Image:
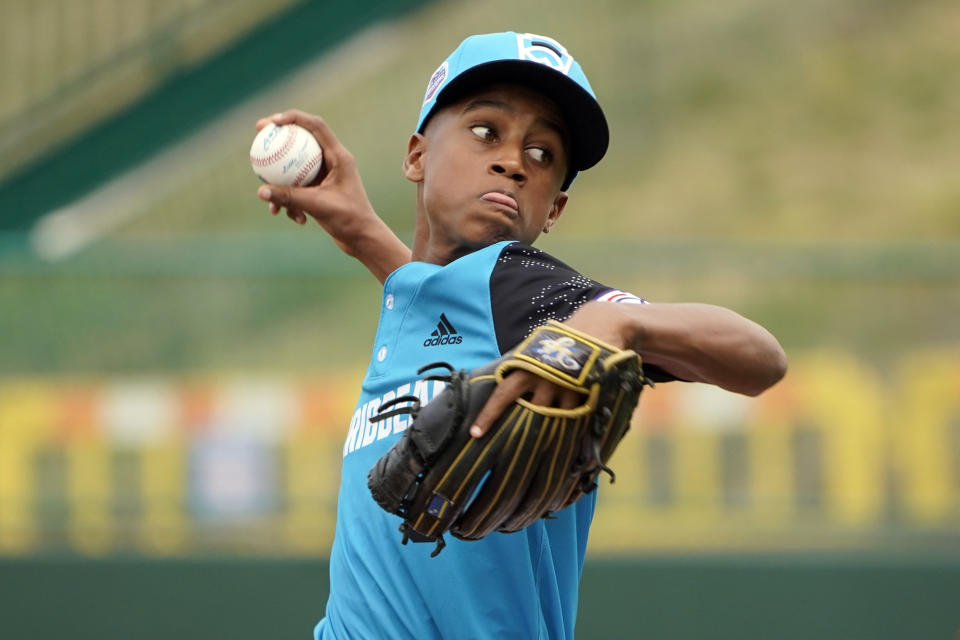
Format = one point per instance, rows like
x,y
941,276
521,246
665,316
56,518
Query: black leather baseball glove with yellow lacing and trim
x,y
533,461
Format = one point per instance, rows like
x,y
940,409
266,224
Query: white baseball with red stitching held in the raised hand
x,y
285,155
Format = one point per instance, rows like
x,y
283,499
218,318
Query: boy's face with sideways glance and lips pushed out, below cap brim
x,y
489,168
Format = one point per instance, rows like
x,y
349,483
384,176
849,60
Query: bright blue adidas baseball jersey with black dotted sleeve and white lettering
x,y
519,585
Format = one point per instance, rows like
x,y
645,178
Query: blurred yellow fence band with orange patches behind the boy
x,y
837,455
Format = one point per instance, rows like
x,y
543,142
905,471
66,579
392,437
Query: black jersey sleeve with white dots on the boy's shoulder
x,y
529,287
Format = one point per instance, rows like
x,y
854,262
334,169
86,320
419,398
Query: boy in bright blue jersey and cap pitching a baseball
x,y
506,123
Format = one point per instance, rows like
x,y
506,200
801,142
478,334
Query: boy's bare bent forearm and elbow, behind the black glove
x,y
695,342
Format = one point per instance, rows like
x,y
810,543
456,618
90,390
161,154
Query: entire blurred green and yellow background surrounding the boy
x,y
177,367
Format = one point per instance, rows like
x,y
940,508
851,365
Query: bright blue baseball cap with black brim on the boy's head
x,y
537,62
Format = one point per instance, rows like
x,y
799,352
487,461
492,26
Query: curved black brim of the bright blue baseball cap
x,y
584,118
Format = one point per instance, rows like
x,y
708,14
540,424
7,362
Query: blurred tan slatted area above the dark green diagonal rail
x,y
69,63
